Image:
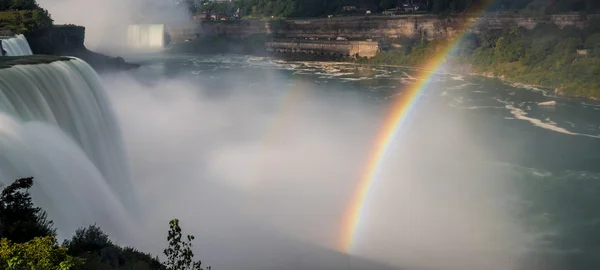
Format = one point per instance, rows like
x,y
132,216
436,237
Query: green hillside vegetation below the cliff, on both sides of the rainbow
x,y
564,59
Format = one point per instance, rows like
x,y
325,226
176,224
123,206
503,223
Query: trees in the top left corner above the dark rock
x,y
23,17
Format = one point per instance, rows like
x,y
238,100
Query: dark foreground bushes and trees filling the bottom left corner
x,y
28,241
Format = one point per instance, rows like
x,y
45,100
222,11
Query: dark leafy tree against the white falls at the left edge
x,y
20,220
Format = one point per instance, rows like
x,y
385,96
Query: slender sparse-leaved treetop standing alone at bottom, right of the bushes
x,y
179,253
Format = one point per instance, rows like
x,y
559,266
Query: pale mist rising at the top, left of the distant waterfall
x,y
106,21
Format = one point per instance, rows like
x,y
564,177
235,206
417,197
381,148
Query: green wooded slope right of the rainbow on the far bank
x,y
565,59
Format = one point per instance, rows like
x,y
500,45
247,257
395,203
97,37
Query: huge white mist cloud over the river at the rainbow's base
x,y
262,175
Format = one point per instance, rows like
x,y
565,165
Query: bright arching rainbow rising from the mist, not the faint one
x,y
392,124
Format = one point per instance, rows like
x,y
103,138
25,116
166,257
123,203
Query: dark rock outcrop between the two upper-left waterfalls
x,y
68,40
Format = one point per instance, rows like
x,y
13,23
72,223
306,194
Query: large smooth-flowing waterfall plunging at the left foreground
x,y
57,125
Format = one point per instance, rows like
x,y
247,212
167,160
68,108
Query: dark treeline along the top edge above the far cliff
x,y
321,8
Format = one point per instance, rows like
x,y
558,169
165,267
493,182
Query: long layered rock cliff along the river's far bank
x,y
374,27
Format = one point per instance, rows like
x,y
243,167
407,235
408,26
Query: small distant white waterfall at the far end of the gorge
x,y
146,36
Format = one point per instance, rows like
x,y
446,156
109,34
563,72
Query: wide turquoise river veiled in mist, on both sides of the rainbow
x,y
478,173
